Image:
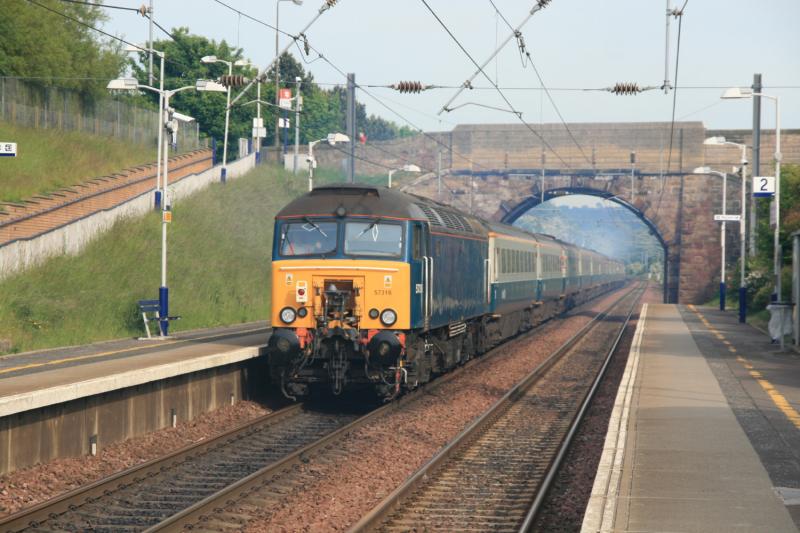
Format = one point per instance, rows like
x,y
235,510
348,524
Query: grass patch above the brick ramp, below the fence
x,y
50,159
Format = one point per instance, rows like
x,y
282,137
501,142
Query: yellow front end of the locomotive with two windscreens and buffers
x,y
341,286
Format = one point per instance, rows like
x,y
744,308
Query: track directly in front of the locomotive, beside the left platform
x,y
153,491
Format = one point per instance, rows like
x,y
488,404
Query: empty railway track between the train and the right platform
x,y
495,474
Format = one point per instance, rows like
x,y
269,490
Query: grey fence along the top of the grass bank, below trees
x,y
54,108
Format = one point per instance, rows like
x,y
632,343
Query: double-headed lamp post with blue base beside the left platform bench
x,y
168,122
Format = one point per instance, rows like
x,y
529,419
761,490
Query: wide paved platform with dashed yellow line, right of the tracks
x,y
705,432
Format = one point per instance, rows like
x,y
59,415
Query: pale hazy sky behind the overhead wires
x,y
575,44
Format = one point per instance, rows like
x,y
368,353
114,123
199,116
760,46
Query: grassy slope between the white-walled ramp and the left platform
x,y
219,259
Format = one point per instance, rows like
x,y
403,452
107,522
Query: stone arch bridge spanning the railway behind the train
x,y
495,171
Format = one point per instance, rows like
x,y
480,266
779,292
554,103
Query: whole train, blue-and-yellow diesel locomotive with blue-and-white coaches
x,y
375,287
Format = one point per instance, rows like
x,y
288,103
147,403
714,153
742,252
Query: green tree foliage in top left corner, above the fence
x,y
40,44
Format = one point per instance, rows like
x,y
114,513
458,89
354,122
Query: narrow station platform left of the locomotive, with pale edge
x,y
38,379
